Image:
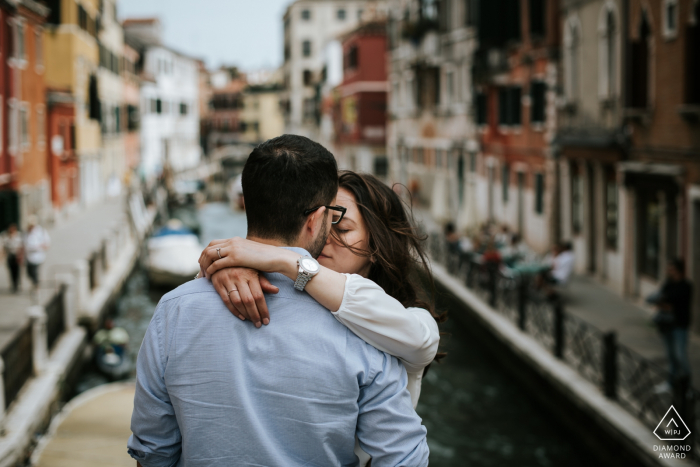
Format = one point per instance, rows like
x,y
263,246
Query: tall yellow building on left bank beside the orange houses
x,y
72,61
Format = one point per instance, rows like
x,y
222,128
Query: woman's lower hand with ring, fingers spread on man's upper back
x,y
242,289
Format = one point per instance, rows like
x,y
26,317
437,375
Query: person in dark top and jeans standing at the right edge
x,y
674,301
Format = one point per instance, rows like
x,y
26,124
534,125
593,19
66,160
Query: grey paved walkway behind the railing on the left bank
x,y
72,239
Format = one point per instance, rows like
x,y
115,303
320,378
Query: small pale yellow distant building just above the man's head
x,y
261,117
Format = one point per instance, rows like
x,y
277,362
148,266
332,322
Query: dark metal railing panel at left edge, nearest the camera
x,y
19,363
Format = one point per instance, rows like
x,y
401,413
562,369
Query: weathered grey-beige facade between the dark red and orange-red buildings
x,y
431,136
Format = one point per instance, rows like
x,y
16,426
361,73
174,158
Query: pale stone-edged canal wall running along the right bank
x,y
611,432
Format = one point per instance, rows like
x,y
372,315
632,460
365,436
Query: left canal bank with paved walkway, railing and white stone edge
x,y
43,335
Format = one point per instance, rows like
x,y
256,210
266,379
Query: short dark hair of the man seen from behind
x,y
282,178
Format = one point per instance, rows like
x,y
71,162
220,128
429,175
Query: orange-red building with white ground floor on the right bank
x,y
515,78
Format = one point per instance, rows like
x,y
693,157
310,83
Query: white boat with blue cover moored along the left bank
x,y
173,255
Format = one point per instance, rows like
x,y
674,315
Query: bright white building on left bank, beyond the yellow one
x,y
169,102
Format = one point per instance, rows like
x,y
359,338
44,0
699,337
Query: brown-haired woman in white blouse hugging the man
x,y
367,275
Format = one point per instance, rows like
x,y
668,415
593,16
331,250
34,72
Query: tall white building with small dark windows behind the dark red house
x,y
310,29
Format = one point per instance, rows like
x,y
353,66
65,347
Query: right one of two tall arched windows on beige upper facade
x,y
607,53
